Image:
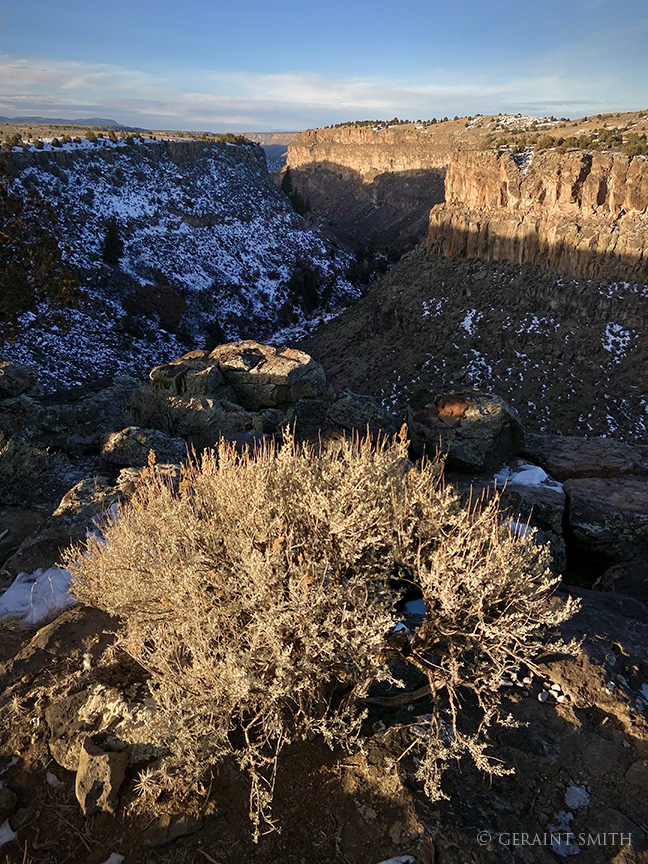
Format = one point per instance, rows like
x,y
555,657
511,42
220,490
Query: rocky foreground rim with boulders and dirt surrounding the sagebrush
x,y
580,754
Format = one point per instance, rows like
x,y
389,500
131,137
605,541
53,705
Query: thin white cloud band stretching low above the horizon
x,y
292,100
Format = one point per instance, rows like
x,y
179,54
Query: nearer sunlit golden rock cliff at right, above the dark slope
x,y
577,213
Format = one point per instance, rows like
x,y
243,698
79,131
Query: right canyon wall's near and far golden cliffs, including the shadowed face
x,y
576,213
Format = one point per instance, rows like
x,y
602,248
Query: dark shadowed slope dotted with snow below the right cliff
x,y
566,353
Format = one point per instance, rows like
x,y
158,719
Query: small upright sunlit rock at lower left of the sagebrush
x,y
99,776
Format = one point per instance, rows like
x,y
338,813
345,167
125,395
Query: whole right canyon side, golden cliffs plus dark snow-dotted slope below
x,y
529,280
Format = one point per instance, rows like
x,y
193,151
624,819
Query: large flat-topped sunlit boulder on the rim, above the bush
x,y
267,377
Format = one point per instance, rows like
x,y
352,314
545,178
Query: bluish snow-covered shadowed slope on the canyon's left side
x,y
208,243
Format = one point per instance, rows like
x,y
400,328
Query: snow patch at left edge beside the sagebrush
x,y
33,597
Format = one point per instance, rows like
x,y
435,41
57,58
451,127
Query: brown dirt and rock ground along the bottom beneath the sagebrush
x,y
580,765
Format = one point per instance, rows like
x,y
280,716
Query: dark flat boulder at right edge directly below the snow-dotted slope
x,y
569,456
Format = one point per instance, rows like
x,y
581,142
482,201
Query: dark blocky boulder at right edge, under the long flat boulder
x,y
608,517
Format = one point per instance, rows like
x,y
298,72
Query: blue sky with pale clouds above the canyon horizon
x,y
246,65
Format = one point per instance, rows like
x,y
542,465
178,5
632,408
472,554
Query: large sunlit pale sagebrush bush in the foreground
x,y
258,597
